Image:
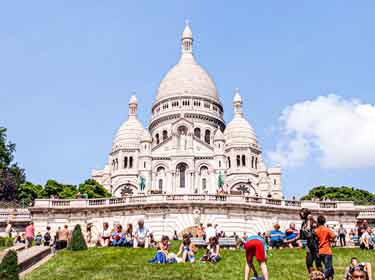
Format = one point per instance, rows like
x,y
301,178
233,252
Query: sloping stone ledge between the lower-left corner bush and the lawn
x,y
30,256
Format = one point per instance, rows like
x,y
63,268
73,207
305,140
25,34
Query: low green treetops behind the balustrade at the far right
x,y
341,193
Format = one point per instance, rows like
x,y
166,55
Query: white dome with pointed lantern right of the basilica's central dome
x,y
239,131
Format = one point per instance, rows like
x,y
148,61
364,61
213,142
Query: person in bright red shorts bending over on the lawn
x,y
255,246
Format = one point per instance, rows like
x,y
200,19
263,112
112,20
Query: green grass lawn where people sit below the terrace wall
x,y
124,263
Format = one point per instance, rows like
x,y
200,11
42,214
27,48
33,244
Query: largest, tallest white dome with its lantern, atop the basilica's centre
x,y
187,77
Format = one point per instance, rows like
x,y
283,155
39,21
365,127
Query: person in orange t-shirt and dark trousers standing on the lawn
x,y
325,235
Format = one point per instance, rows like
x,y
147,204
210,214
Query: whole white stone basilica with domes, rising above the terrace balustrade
x,y
187,145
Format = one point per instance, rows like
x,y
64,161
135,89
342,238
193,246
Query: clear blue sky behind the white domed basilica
x,y
68,69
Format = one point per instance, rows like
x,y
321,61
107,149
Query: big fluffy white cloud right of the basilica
x,y
341,132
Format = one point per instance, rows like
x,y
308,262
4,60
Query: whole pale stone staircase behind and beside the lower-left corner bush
x,y
28,257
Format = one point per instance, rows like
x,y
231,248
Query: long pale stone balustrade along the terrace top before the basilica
x,y
190,198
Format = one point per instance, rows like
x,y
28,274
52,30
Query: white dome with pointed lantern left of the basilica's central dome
x,y
131,131
